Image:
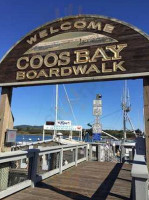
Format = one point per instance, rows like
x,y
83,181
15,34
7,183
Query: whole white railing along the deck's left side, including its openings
x,y
21,169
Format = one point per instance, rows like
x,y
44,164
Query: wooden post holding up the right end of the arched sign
x,y
146,116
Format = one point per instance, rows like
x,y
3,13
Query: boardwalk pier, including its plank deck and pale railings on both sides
x,y
72,172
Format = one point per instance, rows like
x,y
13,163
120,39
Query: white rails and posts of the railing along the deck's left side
x,y
33,156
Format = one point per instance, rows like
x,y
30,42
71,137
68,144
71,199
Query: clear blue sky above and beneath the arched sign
x,y
34,105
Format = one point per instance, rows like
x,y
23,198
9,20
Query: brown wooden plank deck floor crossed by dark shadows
x,y
90,180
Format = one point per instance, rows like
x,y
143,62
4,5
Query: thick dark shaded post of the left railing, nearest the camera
x,y
32,170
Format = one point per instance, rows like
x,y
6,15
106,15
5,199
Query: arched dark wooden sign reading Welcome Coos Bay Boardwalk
x,y
74,49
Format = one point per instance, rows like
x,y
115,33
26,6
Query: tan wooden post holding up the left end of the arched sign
x,y
6,118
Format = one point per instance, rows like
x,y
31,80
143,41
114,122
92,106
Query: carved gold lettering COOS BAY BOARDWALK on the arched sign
x,y
66,63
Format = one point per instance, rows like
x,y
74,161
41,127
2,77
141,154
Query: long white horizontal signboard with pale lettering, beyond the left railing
x,y
63,128
